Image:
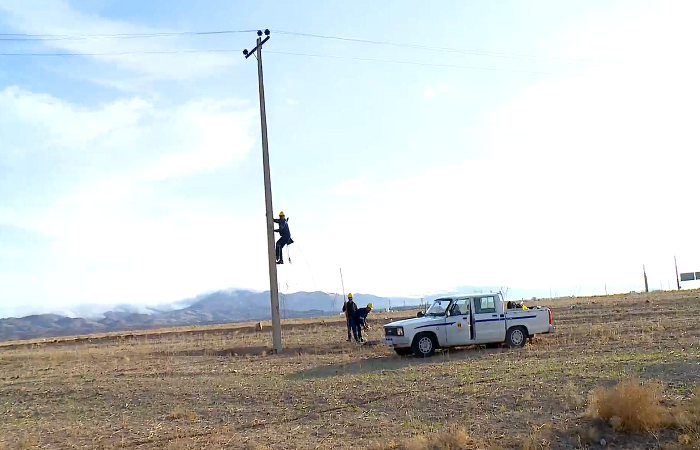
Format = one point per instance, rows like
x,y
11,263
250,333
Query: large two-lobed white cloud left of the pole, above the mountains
x,y
112,237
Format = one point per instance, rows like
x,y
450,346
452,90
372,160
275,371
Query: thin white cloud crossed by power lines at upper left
x,y
57,17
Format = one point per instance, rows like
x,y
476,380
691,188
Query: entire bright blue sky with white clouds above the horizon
x,y
138,178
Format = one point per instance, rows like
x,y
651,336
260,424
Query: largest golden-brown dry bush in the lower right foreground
x,y
631,406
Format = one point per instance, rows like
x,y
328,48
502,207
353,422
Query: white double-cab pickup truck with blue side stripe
x,y
467,320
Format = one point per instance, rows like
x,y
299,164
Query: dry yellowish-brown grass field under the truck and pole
x,y
620,372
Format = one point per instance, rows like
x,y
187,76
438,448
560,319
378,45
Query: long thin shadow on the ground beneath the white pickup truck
x,y
392,363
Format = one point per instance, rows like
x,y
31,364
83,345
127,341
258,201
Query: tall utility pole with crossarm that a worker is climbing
x,y
272,260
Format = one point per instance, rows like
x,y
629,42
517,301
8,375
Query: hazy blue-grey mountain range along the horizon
x,y
224,306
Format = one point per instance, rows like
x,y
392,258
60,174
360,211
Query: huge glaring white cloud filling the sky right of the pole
x,y
585,179
